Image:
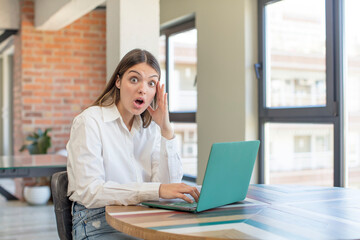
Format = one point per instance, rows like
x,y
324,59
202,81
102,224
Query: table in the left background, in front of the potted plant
x,y
42,165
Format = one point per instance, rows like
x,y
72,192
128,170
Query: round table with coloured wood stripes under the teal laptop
x,y
268,212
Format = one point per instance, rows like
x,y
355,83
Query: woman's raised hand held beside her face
x,y
161,114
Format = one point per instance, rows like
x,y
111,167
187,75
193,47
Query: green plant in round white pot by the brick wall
x,y
38,193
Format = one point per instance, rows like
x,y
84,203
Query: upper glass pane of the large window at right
x,y
295,53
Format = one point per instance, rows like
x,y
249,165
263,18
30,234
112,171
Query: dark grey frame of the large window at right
x,y
332,112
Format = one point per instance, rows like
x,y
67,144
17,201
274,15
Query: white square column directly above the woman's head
x,y
130,24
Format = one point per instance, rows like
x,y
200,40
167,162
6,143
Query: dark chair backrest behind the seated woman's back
x,y
62,204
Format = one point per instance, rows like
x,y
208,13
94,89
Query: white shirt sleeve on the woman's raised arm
x,y
166,162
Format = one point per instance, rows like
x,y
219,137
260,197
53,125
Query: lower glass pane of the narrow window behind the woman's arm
x,y
186,135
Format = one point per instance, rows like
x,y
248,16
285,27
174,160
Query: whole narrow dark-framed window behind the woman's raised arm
x,y
178,60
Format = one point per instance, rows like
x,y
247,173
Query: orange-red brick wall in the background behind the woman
x,y
57,74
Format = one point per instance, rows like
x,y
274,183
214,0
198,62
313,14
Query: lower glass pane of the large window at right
x,y
299,153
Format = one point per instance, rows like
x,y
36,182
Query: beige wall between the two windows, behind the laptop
x,y
227,87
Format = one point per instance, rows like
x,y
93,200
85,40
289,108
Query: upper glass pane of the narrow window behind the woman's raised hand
x,y
182,71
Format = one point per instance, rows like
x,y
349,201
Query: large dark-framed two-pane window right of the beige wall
x,y
300,118
